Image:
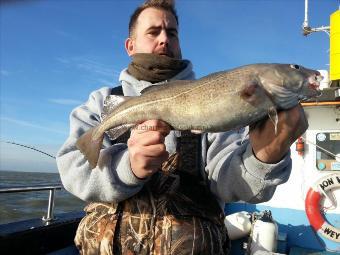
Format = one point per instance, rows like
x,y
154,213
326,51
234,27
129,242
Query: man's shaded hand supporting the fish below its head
x,y
269,147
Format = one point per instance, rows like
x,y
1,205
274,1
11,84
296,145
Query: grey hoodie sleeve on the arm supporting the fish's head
x,y
235,174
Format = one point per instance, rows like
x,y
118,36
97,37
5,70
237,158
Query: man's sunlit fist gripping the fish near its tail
x,y
146,147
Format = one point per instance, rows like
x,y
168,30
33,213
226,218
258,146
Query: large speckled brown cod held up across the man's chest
x,y
218,102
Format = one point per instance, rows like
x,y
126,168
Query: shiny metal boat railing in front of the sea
x,y
52,188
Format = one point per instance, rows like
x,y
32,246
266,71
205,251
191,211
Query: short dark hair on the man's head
x,y
164,5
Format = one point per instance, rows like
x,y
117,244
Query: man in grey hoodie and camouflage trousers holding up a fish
x,y
163,191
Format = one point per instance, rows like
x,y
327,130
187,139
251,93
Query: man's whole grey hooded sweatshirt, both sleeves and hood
x,y
232,171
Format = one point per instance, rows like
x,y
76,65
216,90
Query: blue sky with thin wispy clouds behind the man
x,y
54,53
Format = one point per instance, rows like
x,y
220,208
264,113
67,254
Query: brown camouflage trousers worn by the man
x,y
106,231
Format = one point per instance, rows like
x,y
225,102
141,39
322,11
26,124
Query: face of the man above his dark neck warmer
x,y
155,32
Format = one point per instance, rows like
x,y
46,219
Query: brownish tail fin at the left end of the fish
x,y
90,147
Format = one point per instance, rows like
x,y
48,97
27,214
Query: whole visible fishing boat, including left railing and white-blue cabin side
x,y
303,217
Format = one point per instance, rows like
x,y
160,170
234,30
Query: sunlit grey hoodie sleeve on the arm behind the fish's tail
x,y
112,180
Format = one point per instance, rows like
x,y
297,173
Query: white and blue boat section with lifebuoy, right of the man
x,y
306,209
